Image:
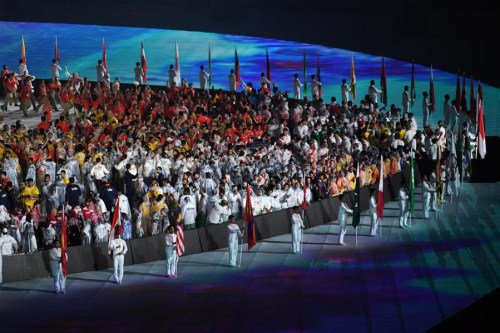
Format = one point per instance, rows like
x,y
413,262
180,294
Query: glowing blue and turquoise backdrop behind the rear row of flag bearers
x,y
80,47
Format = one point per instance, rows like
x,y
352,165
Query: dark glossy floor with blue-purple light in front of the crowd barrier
x,y
406,280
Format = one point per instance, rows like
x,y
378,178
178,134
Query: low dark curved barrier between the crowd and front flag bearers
x,y
209,238
